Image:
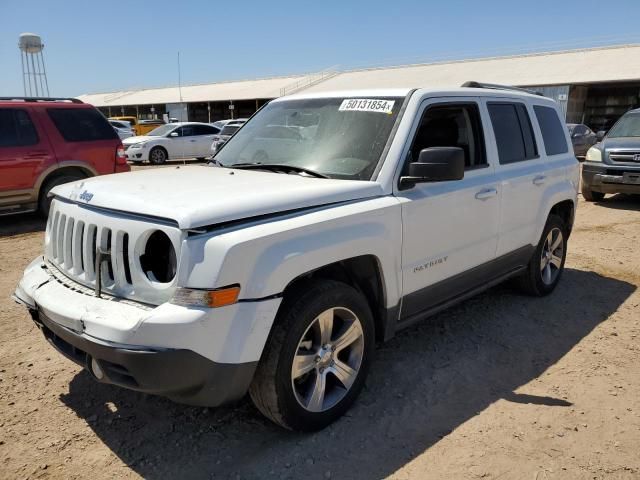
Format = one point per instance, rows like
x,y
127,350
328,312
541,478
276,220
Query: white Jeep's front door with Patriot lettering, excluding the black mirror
x,y
449,228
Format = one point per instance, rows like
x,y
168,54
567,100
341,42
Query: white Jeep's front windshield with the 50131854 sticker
x,y
338,137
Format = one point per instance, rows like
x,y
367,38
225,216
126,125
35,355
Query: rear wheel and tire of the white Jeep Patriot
x,y
547,262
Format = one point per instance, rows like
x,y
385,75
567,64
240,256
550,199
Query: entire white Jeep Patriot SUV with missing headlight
x,y
277,277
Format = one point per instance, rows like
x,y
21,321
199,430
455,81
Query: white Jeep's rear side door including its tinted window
x,y
521,172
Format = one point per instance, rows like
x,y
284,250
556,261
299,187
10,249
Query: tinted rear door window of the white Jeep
x,y
513,132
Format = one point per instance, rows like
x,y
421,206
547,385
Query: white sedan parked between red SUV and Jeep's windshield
x,y
172,141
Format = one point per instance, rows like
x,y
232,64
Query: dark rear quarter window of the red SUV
x,y
81,124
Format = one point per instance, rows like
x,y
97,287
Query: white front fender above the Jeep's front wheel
x,y
264,257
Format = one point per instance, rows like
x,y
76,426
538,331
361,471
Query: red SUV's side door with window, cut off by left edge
x,y
24,154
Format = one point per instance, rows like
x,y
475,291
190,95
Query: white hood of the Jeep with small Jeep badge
x,y
195,196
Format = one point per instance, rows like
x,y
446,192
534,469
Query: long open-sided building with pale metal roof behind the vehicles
x,y
594,85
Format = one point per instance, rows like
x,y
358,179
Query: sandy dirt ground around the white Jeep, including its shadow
x,y
502,386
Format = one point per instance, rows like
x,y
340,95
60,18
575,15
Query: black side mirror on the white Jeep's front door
x,y
435,164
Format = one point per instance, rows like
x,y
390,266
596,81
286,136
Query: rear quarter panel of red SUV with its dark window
x,y
81,133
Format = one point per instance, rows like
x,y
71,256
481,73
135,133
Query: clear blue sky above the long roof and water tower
x,y
94,46
